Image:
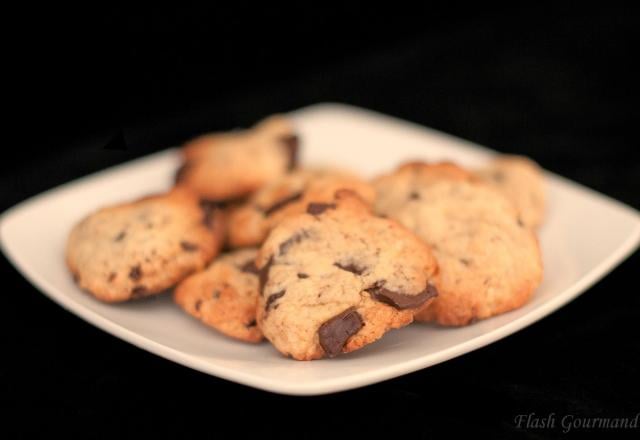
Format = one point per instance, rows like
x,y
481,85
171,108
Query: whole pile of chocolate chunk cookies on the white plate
x,y
318,261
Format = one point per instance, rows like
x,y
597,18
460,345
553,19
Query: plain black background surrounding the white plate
x,y
559,87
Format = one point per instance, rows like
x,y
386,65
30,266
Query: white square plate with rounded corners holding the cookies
x,y
585,236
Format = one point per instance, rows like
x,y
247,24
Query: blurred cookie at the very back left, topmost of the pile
x,y
229,166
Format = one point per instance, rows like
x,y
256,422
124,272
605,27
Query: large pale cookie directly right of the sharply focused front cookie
x,y
489,260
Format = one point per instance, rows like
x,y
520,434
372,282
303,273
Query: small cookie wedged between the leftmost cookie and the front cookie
x,y
225,295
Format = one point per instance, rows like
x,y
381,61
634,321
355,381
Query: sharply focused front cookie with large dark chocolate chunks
x,y
337,278
